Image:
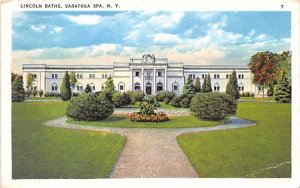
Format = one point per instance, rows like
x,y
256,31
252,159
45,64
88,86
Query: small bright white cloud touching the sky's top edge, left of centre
x,y
84,19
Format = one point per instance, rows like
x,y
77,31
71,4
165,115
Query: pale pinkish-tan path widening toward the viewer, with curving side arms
x,y
151,152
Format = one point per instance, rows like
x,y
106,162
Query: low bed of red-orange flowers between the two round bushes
x,y
156,117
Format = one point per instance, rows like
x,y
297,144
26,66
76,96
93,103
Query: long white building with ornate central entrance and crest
x,y
148,74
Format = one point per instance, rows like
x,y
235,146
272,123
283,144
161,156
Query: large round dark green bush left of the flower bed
x,y
89,107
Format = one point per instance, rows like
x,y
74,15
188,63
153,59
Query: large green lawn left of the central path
x,y
45,152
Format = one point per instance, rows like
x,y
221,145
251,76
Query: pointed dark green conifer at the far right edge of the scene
x,y
283,90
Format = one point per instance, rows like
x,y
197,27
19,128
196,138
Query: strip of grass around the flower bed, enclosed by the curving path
x,y
175,122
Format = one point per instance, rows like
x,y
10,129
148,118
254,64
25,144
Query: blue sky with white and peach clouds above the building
x,y
189,37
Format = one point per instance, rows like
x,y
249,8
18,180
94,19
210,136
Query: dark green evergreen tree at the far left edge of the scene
x,y
17,89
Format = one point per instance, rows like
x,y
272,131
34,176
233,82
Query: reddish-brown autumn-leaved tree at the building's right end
x,y
262,65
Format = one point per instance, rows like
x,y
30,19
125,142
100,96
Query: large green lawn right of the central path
x,y
262,151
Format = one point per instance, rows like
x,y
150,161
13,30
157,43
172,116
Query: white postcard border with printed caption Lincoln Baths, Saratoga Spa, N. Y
x,y
151,5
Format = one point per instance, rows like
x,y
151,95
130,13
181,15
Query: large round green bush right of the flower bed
x,y
213,106
